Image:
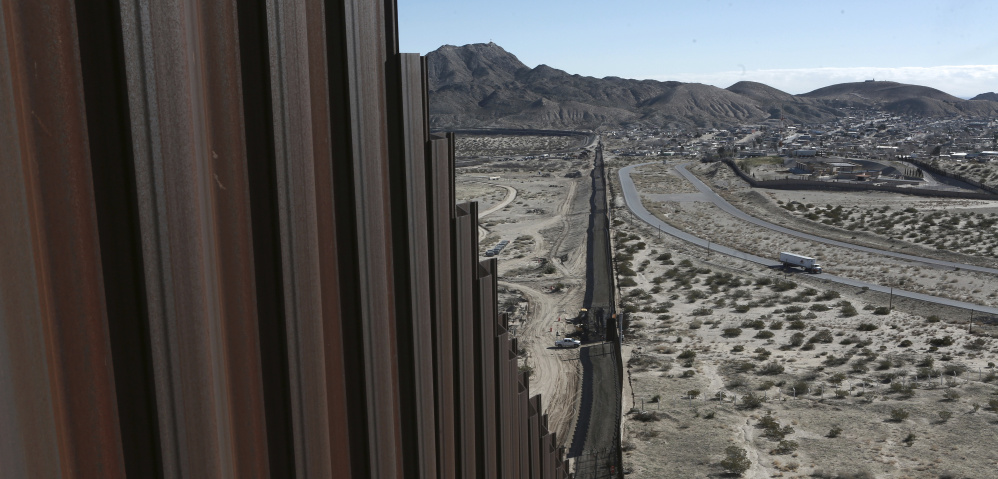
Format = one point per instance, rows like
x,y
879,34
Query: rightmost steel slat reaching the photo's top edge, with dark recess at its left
x,y
358,44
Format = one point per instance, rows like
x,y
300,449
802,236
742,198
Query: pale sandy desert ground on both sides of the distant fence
x,y
789,375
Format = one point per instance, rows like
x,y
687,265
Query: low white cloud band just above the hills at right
x,y
959,80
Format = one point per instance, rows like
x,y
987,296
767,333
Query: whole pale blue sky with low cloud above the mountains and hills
x,y
794,46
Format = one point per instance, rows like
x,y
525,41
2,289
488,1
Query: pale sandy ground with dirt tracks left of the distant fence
x,y
542,270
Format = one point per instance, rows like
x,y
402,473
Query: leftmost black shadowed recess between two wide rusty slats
x,y
109,130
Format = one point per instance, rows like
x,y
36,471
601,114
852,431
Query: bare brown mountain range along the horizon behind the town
x,y
483,85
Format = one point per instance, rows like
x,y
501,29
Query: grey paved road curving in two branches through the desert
x,y
633,201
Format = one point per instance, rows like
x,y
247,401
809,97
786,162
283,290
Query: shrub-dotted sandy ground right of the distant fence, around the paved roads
x,y
715,325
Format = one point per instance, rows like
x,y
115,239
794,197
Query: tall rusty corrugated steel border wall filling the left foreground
x,y
231,249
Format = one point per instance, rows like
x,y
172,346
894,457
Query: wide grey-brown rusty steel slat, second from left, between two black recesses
x,y
182,62
